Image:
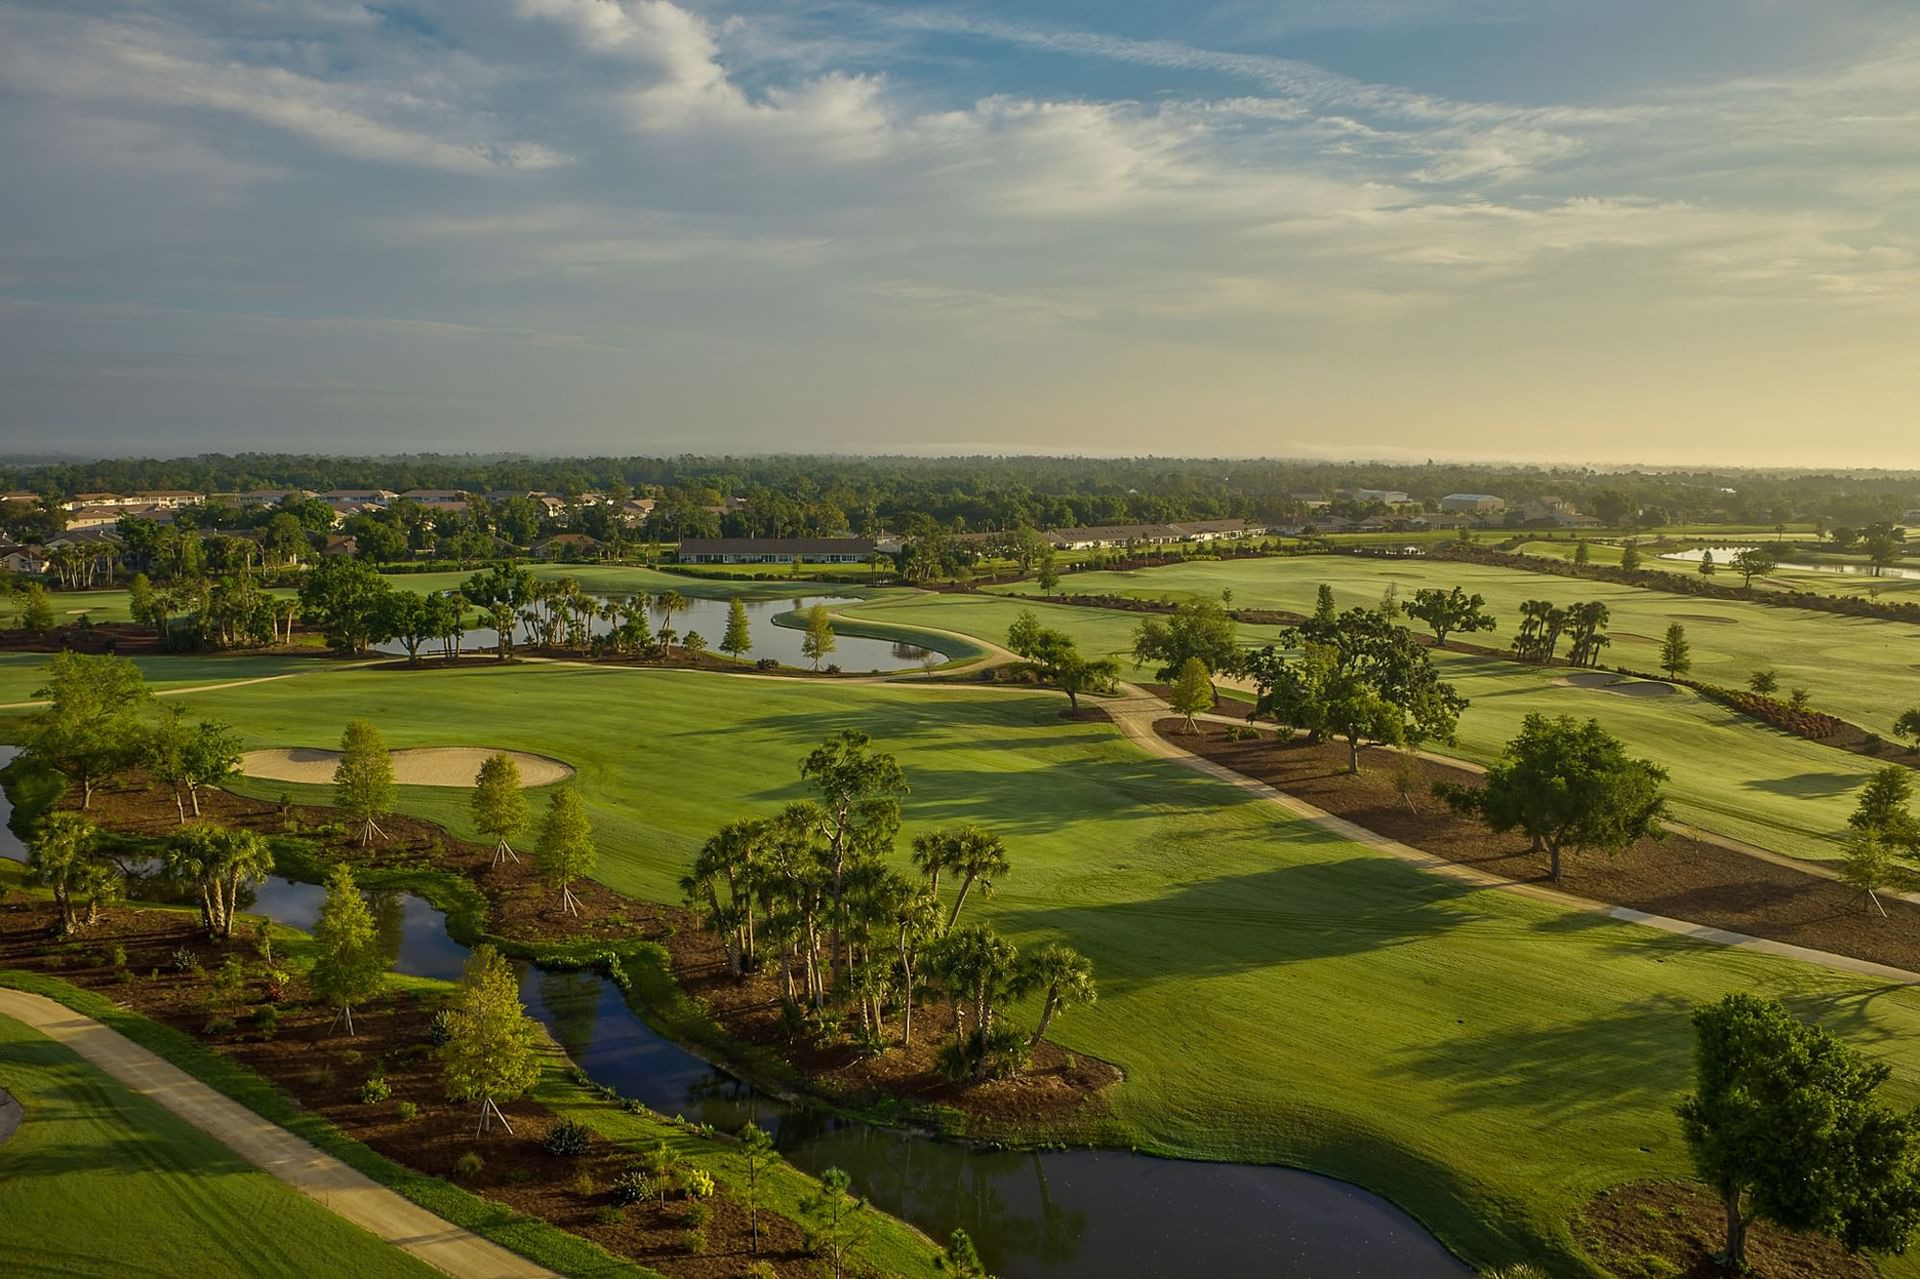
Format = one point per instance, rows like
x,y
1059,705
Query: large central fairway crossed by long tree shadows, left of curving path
x,y
1276,994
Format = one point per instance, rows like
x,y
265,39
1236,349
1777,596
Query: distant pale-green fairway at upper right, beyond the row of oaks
x,y
1860,669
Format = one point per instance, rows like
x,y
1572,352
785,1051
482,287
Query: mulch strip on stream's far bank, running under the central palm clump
x,y
1059,1092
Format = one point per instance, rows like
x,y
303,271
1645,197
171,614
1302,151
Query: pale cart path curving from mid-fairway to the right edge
x,y
1138,710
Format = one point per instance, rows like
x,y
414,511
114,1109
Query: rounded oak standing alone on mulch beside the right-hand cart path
x,y
1568,786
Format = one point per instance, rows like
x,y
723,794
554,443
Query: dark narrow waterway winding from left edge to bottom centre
x,y
1055,1215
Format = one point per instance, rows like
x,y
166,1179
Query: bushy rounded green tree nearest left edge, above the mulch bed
x,y
89,731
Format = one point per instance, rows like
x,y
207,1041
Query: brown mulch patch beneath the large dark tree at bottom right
x,y
1673,1230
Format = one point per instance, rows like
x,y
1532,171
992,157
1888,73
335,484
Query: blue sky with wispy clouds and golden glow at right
x,y
1485,229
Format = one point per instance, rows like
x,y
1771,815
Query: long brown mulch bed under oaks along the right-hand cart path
x,y
1675,877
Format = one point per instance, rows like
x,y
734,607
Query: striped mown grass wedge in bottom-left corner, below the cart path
x,y
105,1182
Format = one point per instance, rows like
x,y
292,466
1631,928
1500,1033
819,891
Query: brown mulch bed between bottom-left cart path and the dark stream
x,y
325,1069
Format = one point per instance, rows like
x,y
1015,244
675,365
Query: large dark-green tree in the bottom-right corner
x,y
1785,1126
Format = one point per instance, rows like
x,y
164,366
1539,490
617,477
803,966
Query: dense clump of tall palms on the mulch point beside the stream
x,y
857,940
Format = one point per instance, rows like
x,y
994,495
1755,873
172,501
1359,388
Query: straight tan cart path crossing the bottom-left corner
x,y
272,1149
